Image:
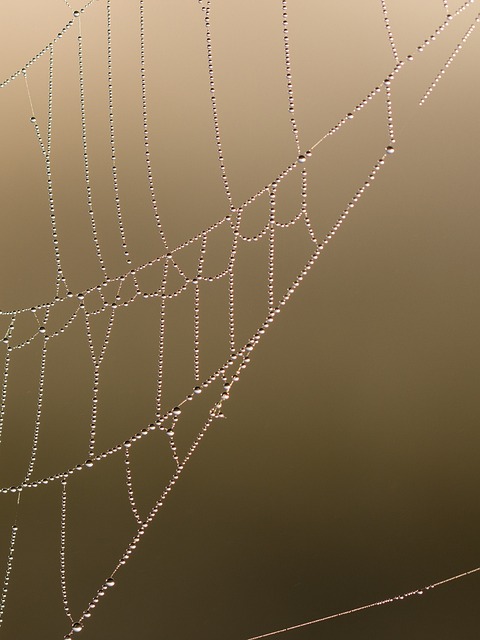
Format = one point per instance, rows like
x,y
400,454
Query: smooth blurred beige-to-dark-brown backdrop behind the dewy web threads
x,y
347,470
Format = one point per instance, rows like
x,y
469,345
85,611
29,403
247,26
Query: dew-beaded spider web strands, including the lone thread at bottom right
x,y
239,355
